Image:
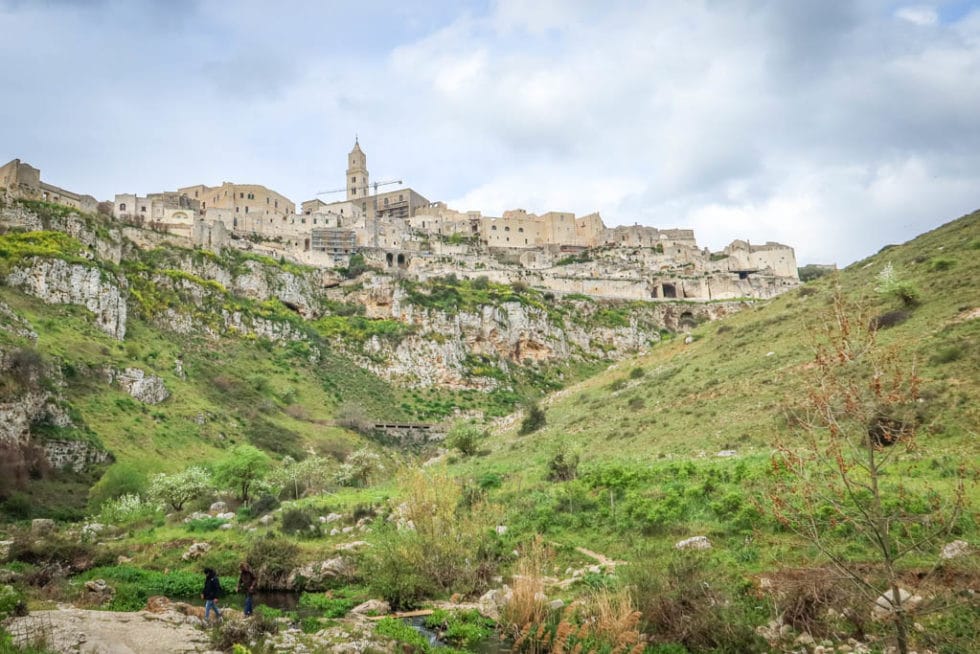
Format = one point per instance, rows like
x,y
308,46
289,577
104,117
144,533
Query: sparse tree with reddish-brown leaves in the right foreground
x,y
840,478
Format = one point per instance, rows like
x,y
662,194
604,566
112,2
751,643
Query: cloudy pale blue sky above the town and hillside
x,y
833,126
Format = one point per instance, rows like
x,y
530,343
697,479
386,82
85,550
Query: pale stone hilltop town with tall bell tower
x,y
402,232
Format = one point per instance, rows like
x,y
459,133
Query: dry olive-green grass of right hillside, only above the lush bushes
x,y
725,390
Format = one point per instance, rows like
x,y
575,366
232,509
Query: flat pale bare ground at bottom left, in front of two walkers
x,y
78,631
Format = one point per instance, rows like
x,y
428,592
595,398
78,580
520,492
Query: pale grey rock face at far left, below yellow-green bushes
x,y
55,281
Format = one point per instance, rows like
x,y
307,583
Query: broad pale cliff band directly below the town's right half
x,y
440,347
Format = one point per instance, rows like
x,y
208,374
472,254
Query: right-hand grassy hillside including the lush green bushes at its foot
x,y
649,474
